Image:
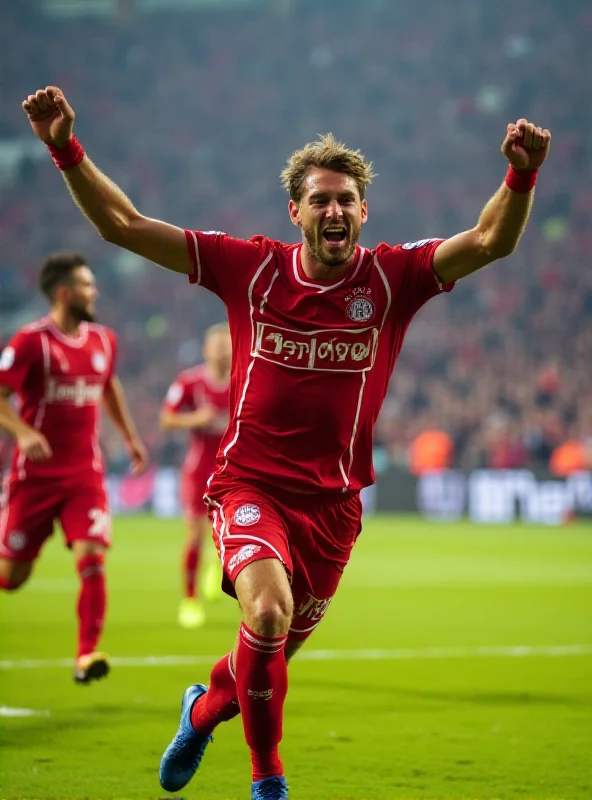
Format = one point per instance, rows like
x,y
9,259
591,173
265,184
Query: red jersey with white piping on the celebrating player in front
x,y
311,360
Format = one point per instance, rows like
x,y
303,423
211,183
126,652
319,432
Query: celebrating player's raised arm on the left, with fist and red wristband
x,y
100,200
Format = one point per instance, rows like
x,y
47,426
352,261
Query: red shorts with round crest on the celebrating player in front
x,y
312,535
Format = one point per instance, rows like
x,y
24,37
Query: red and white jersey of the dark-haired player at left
x,y
59,382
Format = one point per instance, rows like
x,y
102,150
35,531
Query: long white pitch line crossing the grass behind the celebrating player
x,y
403,654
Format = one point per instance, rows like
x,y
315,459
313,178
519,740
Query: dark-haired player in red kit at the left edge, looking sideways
x,y
62,368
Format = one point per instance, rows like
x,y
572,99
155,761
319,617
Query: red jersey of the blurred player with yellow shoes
x,y
192,389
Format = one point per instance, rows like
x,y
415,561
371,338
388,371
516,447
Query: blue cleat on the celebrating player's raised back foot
x,y
184,754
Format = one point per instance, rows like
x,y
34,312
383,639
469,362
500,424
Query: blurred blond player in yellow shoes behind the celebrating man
x,y
197,402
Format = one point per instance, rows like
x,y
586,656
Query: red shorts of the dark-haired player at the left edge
x,y
29,509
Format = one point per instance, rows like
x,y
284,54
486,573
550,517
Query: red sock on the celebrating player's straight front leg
x,y
262,685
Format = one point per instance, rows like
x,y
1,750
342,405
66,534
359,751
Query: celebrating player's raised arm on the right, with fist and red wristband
x,y
504,218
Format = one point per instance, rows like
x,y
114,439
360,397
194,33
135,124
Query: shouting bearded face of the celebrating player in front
x,y
331,215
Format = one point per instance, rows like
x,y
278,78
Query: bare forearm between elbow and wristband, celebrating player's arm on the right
x,y
503,220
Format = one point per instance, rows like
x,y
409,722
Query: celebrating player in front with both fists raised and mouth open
x,y
316,329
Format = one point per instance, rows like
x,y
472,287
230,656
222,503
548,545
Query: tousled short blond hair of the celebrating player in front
x,y
327,153
